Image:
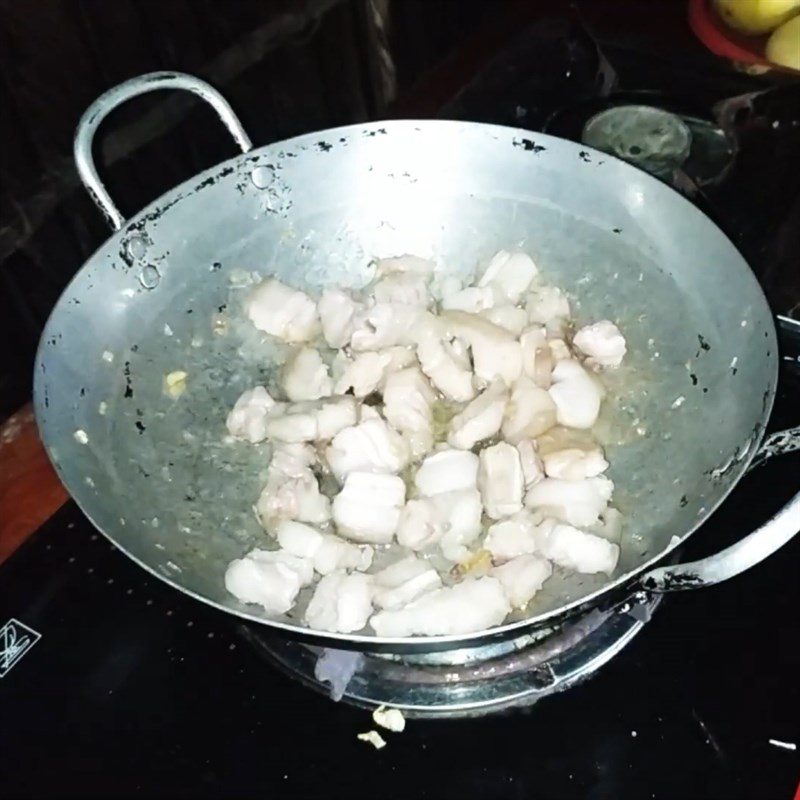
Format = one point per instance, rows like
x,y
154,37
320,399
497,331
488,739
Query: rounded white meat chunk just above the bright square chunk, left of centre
x,y
370,446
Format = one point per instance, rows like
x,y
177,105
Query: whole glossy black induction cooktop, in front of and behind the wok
x,y
113,684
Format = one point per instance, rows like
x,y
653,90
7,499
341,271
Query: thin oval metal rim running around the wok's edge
x,y
408,644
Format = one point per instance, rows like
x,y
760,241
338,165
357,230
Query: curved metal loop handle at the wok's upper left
x,y
97,112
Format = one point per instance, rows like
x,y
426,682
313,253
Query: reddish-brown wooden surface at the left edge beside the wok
x,y
30,491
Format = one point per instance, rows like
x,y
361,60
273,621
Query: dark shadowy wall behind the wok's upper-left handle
x,y
286,67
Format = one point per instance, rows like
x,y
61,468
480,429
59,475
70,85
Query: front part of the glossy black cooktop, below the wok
x,y
135,690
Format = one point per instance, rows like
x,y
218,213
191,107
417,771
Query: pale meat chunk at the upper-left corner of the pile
x,y
281,311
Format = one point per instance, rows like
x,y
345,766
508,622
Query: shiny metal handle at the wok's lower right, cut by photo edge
x,y
735,559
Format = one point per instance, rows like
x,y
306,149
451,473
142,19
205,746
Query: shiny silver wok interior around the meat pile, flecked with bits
x,y
156,474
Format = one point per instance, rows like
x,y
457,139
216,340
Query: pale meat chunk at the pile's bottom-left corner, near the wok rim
x,y
271,580
